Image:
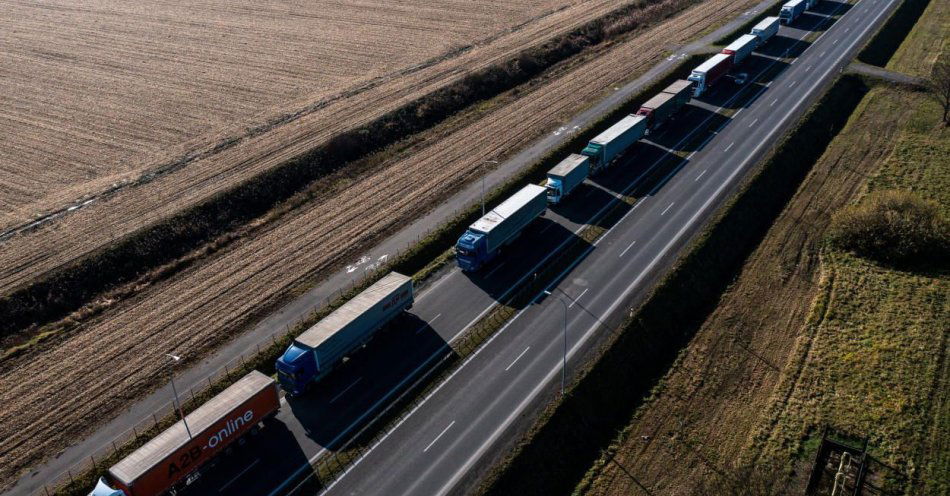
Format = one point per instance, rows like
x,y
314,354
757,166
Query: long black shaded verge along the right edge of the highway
x,y
573,433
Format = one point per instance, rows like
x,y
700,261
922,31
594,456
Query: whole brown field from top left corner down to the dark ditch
x,y
198,98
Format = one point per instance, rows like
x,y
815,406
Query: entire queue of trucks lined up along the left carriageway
x,y
171,458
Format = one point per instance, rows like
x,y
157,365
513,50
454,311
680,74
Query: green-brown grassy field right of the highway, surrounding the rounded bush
x,y
808,337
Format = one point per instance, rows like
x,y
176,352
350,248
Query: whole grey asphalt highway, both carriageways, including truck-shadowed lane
x,y
679,176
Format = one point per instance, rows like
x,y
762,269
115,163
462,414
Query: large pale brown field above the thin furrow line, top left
x,y
101,92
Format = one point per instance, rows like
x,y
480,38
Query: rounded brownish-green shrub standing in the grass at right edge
x,y
892,226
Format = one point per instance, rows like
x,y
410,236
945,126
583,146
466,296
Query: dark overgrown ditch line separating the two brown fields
x,y
136,255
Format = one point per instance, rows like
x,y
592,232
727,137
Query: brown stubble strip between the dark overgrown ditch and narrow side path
x,y
48,393
